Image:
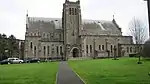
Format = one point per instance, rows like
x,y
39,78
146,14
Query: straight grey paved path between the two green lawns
x,y
66,76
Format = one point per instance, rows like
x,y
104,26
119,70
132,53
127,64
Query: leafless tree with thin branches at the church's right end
x,y
137,30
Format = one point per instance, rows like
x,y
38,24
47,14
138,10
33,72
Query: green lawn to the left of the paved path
x,y
42,73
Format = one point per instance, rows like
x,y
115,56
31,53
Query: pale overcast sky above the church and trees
x,y
13,12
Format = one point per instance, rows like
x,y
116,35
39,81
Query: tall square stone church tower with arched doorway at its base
x,y
71,21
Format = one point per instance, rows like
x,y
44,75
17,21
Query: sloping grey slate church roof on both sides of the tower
x,y
99,27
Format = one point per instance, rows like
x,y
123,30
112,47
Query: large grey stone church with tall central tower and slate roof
x,y
71,36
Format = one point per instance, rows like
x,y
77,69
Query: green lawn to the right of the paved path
x,y
108,71
